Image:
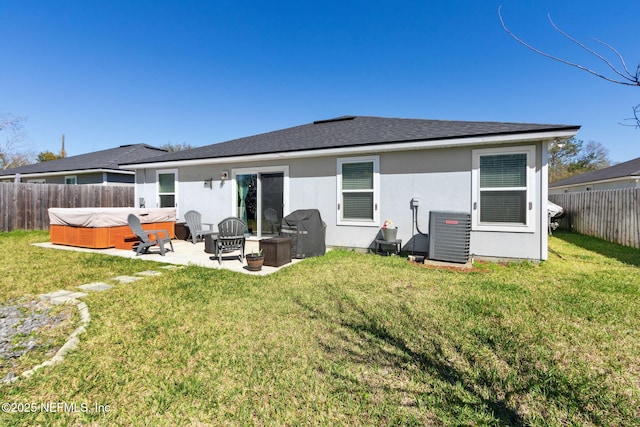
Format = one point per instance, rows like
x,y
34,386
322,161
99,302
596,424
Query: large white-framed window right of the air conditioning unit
x,y
503,190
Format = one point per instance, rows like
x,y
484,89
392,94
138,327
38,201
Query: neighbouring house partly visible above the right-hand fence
x,y
622,175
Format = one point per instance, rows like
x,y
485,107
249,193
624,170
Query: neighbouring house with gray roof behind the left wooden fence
x,y
98,167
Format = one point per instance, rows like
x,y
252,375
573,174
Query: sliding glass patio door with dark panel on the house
x,y
260,201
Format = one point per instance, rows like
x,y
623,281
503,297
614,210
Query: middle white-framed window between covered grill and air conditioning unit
x,y
358,191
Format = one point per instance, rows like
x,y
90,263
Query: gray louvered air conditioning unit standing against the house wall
x,y
449,234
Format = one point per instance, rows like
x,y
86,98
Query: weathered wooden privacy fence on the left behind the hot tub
x,y
25,206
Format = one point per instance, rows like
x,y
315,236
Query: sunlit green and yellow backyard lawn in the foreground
x,y
344,339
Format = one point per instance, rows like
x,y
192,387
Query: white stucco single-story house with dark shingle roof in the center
x,y
360,171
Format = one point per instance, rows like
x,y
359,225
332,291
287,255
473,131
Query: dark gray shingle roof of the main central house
x,y
351,131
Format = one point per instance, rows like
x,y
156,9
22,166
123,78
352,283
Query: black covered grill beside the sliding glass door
x,y
307,232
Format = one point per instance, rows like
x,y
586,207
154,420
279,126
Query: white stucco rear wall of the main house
x,y
439,178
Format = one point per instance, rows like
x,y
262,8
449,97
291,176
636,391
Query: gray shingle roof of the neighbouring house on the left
x,y
105,159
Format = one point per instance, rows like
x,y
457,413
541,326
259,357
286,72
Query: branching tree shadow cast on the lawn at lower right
x,y
465,384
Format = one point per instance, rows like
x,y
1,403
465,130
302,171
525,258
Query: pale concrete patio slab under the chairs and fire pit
x,y
186,253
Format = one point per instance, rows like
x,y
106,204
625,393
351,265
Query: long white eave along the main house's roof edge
x,y
557,134
